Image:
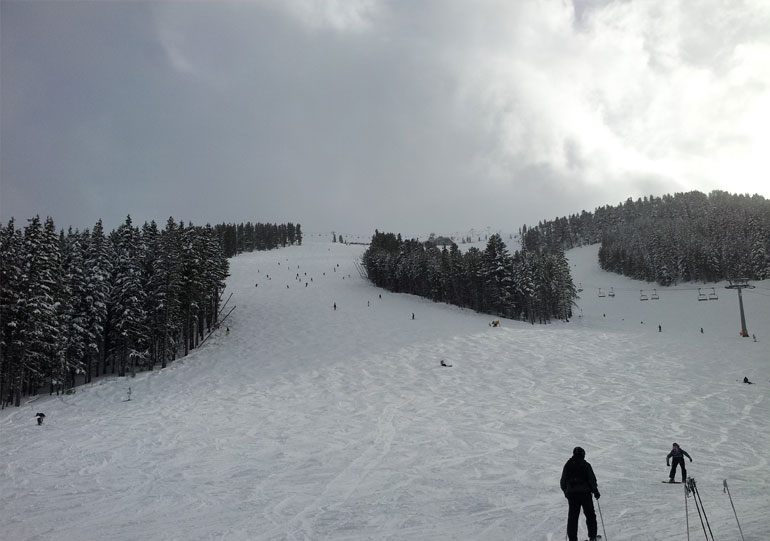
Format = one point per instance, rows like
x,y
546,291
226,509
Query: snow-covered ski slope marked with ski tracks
x,y
307,422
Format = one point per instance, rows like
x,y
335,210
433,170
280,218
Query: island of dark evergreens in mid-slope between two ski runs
x,y
527,285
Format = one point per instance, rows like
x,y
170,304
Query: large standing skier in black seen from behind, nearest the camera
x,y
578,483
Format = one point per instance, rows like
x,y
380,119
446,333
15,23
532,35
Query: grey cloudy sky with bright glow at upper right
x,y
351,115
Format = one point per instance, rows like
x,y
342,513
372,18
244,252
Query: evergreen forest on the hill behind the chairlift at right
x,y
675,238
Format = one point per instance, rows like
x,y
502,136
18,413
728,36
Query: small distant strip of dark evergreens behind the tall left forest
x,y
250,237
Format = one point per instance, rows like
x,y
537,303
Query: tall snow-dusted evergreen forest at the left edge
x,y
84,304
